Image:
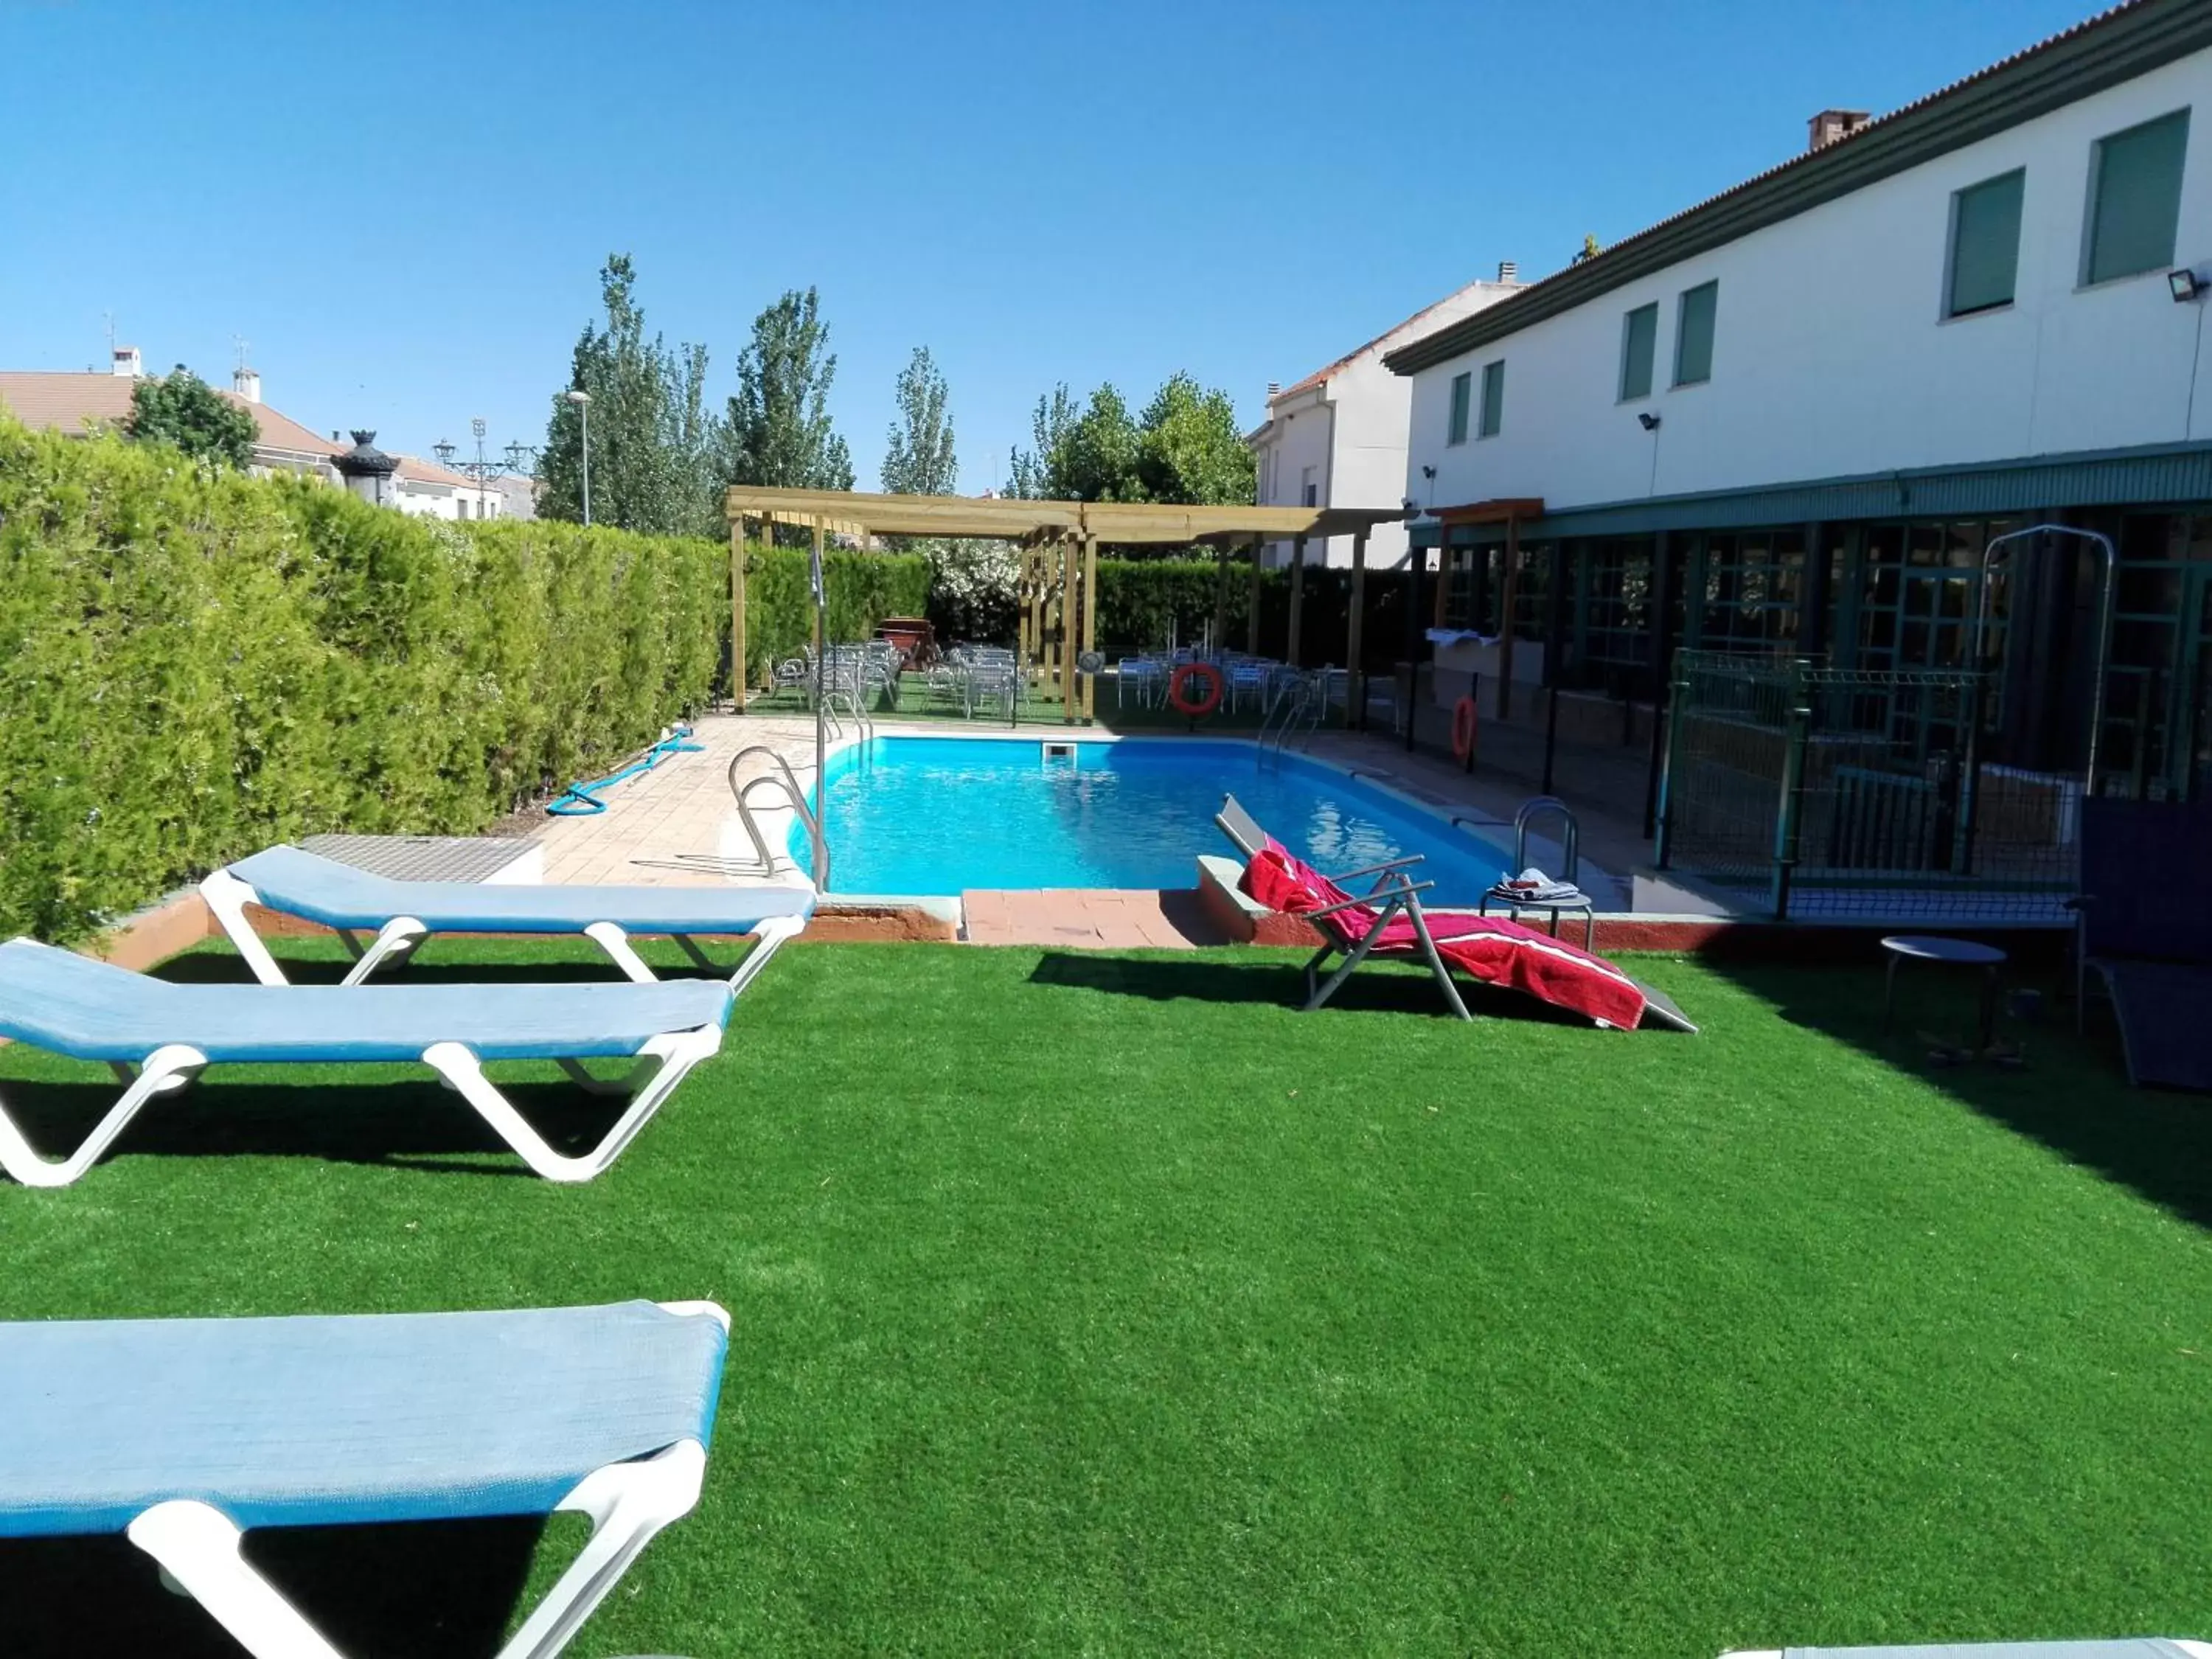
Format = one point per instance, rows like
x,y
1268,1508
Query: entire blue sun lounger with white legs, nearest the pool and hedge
x,y
406,912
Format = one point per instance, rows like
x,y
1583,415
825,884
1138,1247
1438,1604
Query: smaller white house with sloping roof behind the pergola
x,y
1337,437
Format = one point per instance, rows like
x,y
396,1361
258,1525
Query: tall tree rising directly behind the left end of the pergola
x,y
780,419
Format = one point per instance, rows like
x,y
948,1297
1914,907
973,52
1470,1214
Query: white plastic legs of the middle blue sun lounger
x,y
656,1072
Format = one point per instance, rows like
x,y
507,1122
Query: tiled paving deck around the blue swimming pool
x,y
660,824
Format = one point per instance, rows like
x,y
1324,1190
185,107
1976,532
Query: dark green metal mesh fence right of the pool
x,y
1830,793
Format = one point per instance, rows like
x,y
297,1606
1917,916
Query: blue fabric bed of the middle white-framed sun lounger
x,y
92,1010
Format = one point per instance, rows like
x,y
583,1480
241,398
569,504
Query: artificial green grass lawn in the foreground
x,y
1100,1304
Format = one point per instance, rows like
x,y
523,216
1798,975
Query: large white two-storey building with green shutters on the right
x,y
1791,417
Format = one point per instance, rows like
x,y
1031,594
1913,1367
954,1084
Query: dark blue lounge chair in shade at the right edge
x,y
2147,932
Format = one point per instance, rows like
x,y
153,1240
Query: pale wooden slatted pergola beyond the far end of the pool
x,y
1061,559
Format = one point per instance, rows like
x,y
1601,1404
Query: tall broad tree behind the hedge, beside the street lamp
x,y
654,439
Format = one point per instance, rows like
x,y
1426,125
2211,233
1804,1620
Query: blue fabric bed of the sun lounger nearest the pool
x,y
335,895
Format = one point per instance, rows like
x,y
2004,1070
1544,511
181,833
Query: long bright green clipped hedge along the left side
x,y
198,665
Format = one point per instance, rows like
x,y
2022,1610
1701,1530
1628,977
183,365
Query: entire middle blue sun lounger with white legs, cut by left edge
x,y
160,1036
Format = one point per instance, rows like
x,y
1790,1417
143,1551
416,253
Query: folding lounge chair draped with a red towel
x,y
1392,921
